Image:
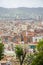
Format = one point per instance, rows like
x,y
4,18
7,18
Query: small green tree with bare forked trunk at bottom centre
x,y
20,53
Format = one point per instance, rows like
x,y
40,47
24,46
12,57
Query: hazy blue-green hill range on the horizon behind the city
x,y
21,13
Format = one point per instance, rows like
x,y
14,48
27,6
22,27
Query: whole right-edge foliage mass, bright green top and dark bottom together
x,y
39,58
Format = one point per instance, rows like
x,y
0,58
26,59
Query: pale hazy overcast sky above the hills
x,y
21,3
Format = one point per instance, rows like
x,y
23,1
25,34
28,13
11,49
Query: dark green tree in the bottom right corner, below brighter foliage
x,y
38,60
